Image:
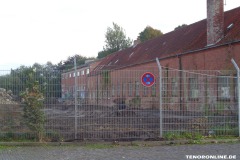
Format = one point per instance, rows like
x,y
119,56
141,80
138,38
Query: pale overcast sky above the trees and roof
x,y
51,30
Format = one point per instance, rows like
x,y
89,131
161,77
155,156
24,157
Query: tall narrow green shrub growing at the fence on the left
x,y
33,103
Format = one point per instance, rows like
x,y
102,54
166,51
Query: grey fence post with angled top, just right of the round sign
x,y
160,98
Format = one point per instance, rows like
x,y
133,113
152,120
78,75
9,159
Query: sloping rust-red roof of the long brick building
x,y
187,39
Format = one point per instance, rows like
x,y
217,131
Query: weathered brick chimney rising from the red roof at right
x,y
215,21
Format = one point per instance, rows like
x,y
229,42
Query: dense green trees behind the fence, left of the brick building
x,y
47,75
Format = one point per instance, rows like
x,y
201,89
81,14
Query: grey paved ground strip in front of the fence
x,y
177,152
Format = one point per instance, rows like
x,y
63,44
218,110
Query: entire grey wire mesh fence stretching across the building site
x,y
115,105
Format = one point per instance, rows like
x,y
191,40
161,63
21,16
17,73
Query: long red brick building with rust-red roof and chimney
x,y
209,44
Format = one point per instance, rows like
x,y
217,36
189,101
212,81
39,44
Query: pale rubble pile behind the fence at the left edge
x,y
6,97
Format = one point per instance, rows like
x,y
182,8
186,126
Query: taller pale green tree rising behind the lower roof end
x,y
116,40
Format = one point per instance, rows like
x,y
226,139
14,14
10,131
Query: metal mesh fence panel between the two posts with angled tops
x,y
200,102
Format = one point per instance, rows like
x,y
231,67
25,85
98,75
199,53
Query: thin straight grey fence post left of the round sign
x,y
75,100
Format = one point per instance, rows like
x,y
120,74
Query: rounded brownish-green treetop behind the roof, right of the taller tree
x,y
149,33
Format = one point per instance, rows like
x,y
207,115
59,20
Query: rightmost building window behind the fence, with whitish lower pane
x,y
223,88
